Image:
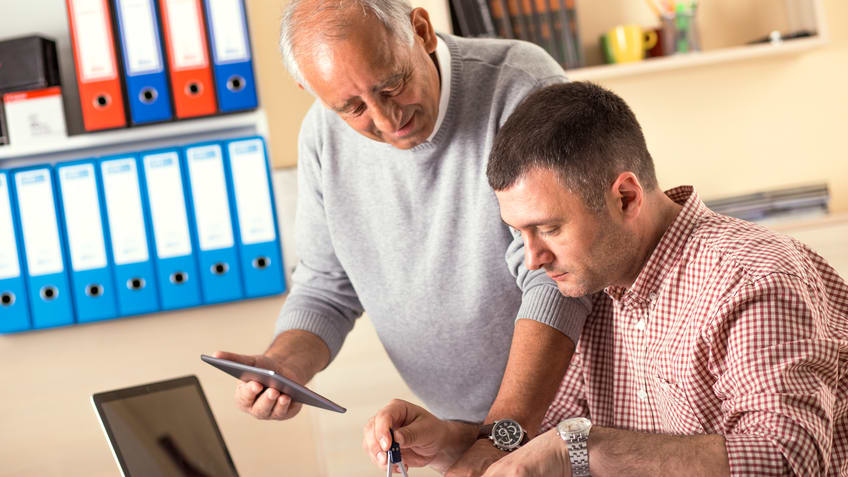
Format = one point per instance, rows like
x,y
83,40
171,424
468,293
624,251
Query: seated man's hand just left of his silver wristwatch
x,y
546,455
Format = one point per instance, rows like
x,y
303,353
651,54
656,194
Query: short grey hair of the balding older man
x,y
393,14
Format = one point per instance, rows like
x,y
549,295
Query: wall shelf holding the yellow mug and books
x,y
688,60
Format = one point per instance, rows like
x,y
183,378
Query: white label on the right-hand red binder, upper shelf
x,y
186,37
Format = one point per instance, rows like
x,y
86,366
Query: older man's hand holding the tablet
x,y
270,404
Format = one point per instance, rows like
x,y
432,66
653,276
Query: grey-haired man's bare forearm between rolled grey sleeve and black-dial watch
x,y
538,358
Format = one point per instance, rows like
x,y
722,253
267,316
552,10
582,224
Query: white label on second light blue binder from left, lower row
x,y
38,222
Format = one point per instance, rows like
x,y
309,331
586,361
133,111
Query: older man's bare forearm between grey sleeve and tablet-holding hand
x,y
301,352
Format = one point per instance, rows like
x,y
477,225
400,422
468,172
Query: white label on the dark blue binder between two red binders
x,y
140,38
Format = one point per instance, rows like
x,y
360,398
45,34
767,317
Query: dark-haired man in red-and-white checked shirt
x,y
714,346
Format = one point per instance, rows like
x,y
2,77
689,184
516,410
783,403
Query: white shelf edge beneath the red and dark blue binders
x,y
140,137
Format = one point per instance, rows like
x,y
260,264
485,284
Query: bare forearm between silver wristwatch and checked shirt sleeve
x,y
614,452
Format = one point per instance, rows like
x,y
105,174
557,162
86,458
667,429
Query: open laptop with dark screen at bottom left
x,y
164,429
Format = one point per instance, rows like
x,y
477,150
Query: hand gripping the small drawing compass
x,y
423,438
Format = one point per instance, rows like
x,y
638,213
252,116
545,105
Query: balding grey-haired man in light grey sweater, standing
x,y
395,218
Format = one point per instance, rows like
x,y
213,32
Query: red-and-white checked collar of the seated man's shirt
x,y
668,249
